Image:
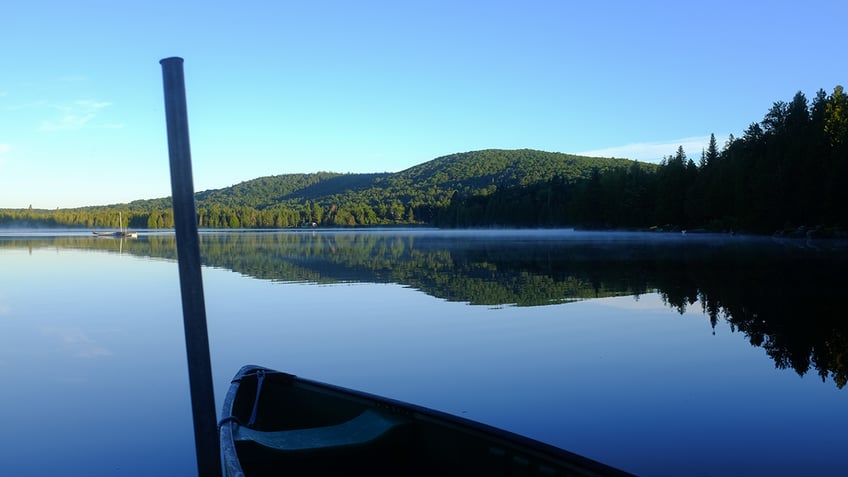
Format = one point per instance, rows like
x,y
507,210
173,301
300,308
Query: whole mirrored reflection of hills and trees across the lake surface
x,y
783,296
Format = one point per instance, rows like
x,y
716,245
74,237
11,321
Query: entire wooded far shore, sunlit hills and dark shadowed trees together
x,y
785,173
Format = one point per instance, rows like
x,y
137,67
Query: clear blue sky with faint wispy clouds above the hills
x,y
279,87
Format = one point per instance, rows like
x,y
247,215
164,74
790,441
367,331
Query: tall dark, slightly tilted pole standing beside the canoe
x,y
191,283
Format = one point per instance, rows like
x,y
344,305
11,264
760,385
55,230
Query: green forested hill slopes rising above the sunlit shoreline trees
x,y
431,183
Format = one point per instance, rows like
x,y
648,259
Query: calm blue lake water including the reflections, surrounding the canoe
x,y
658,354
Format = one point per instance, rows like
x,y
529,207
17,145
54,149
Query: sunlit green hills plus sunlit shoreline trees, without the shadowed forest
x,y
416,195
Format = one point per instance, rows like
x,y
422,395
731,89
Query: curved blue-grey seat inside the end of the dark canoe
x,y
363,429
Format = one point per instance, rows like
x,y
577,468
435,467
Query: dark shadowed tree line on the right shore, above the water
x,y
787,172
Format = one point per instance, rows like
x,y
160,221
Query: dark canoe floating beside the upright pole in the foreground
x,y
279,424
